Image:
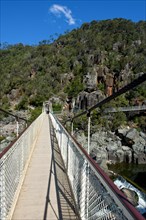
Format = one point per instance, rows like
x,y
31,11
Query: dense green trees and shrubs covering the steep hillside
x,y
32,74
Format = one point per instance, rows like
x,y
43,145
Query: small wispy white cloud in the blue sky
x,y
58,10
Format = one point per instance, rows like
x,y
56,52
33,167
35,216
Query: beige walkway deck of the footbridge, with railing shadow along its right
x,y
45,192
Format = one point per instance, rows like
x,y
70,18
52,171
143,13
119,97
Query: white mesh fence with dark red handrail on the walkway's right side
x,y
87,177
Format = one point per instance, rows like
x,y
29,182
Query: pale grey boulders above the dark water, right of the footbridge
x,y
106,146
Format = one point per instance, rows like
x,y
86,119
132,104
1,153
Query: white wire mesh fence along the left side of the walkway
x,y
13,162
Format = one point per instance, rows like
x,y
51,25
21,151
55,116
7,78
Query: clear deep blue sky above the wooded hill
x,y
31,21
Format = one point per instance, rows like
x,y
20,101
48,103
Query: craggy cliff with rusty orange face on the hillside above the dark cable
x,y
100,75
